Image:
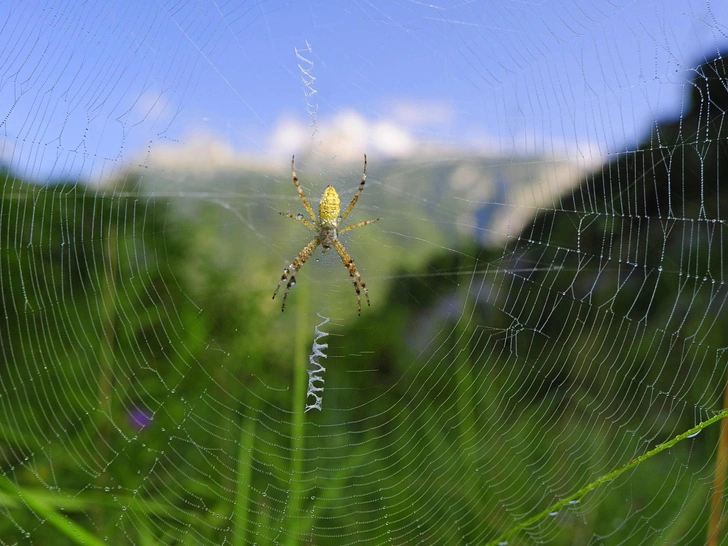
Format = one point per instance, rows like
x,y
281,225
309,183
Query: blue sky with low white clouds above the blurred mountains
x,y
87,89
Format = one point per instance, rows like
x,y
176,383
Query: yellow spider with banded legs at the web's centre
x,y
327,231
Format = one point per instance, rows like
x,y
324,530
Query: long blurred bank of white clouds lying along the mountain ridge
x,y
347,137
